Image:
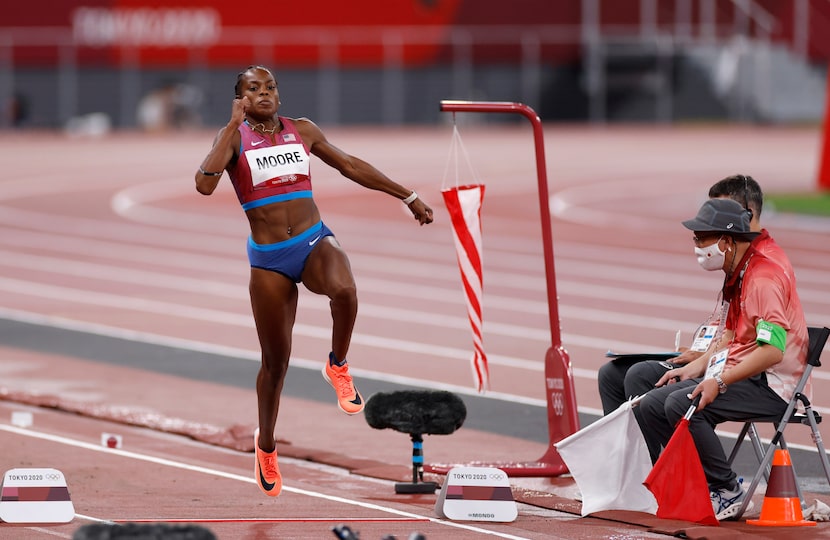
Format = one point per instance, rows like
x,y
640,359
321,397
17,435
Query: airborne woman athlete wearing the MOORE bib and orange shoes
x,y
267,157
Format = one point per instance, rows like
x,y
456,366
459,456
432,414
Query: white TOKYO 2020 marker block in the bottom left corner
x,y
35,496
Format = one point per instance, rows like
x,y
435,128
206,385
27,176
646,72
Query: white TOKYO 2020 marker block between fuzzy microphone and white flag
x,y
476,494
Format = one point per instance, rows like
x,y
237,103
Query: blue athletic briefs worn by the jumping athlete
x,y
288,257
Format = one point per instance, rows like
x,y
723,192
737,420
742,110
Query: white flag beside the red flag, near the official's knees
x,y
609,460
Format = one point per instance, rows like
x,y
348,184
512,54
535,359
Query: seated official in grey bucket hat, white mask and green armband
x,y
761,356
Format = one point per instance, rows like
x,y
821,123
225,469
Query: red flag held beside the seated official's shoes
x,y
678,481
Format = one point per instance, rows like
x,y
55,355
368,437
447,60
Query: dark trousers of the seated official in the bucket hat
x,y
660,410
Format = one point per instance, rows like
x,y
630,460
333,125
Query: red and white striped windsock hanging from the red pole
x,y
464,206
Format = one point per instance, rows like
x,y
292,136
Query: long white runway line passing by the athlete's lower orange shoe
x,y
238,478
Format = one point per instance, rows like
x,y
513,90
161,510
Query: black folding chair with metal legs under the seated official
x,y
809,417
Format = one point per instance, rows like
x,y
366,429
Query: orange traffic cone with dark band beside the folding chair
x,y
781,507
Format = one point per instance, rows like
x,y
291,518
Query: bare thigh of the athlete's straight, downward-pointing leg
x,y
274,305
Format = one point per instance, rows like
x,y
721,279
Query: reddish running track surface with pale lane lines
x,y
108,235
